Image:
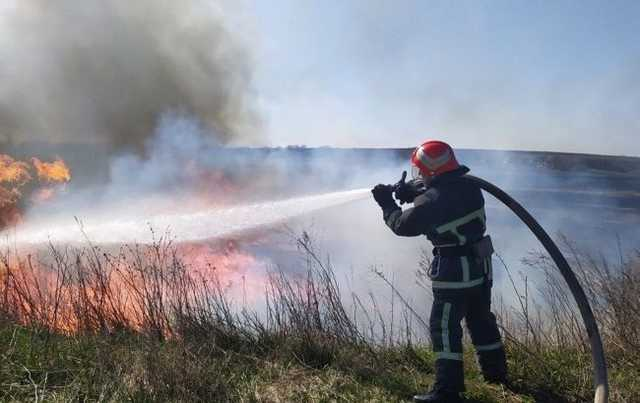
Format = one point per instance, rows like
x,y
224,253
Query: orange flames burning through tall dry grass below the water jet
x,y
137,290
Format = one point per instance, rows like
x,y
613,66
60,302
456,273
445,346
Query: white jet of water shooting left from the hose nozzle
x,y
198,226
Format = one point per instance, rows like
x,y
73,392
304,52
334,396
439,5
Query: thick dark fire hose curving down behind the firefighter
x,y
597,349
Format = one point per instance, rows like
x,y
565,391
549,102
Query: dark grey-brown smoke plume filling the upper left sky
x,y
103,72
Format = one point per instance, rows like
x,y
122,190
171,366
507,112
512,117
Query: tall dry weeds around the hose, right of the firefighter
x,y
546,327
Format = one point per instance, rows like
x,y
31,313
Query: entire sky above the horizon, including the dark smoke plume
x,y
531,75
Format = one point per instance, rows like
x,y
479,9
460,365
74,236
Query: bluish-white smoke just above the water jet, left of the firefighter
x,y
185,169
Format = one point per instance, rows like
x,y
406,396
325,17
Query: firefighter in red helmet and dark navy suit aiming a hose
x,y
450,213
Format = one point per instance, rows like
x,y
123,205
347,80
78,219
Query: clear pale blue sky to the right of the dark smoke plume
x,y
533,75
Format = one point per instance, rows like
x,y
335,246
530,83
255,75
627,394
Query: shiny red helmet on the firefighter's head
x,y
433,158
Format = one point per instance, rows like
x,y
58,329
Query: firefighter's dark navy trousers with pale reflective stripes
x,y
473,305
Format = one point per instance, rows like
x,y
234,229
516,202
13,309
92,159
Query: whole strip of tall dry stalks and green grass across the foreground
x,y
141,324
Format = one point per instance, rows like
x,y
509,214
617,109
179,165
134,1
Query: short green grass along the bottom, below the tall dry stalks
x,y
134,368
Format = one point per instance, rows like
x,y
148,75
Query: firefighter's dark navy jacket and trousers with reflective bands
x,y
450,213
